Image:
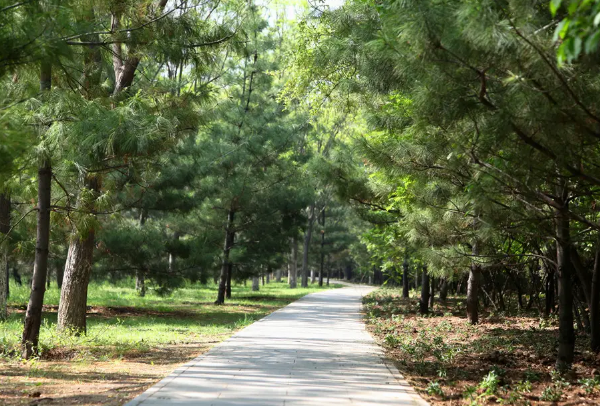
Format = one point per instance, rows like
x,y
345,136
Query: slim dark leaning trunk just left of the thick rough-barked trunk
x,y
33,317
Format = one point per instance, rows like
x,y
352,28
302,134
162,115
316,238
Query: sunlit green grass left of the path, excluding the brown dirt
x,y
138,325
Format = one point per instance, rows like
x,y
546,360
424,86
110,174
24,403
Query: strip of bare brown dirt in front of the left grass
x,y
89,382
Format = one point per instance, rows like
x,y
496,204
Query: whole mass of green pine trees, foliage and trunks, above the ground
x,y
190,141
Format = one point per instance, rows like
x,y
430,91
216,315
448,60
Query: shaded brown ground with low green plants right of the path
x,y
506,359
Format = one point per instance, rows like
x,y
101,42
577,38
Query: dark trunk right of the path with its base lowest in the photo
x,y
566,332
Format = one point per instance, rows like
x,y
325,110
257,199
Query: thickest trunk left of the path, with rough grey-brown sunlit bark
x,y
72,307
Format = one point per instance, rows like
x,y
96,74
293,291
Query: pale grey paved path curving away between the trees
x,y
313,352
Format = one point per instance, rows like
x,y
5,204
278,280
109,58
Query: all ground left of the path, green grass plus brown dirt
x,y
132,341
